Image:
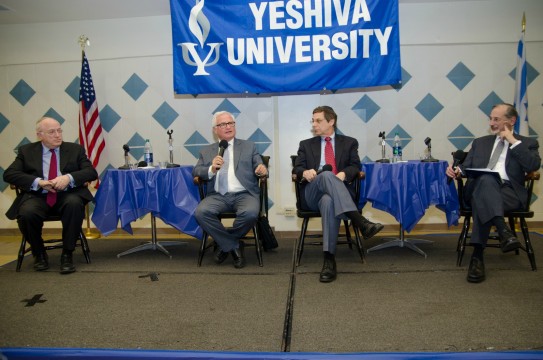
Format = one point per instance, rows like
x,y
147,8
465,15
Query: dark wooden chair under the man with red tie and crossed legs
x,y
306,215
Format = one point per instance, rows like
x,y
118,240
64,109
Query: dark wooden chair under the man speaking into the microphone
x,y
263,184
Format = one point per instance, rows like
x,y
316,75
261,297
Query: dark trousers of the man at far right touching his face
x,y
488,199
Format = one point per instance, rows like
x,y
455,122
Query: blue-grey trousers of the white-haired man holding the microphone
x,y
246,207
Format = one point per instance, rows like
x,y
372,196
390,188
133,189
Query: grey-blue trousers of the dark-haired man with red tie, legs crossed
x,y
329,195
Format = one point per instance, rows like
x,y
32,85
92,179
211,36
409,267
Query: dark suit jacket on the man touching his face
x,y
520,160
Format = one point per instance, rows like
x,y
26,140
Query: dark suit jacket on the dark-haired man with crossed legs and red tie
x,y
346,154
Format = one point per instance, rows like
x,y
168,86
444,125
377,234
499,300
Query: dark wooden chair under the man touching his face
x,y
520,215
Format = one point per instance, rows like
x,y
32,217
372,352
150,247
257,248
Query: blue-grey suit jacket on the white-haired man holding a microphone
x,y
246,159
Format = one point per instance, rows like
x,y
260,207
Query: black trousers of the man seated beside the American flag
x,y
33,212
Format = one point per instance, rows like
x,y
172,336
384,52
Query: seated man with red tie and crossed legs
x,y
326,191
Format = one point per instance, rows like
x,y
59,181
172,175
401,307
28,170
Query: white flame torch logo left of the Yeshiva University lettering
x,y
199,26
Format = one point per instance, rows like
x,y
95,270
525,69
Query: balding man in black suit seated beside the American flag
x,y
51,175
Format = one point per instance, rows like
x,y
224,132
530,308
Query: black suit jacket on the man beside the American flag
x,y
28,165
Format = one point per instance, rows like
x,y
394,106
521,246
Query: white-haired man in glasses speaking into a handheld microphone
x,y
232,167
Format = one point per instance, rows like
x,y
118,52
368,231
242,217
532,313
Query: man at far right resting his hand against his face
x,y
512,156
